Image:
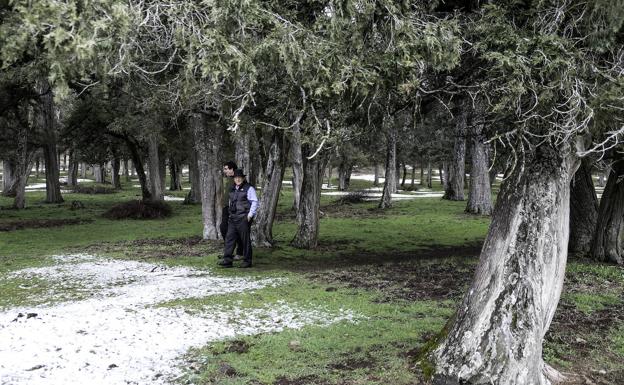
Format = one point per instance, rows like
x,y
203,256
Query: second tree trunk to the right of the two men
x,y
308,215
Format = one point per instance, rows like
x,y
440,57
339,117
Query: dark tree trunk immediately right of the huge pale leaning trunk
x,y
583,210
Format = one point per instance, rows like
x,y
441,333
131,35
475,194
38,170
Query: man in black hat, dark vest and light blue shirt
x,y
243,203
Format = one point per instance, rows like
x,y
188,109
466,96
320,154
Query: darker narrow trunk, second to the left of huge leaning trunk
x,y
455,188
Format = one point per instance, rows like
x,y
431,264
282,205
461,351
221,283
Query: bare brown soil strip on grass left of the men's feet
x,y
159,248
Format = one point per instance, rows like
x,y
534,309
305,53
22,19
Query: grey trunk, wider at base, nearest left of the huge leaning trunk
x,y
480,193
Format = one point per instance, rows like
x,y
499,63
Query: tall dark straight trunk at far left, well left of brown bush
x,y
47,118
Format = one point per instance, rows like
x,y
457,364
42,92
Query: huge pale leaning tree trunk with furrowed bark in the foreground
x,y
496,336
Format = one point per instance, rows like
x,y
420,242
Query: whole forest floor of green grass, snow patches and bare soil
x,y
121,296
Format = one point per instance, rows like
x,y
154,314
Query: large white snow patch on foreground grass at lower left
x,y
117,335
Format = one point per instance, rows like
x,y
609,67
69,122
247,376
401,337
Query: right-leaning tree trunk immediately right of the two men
x,y
262,229
